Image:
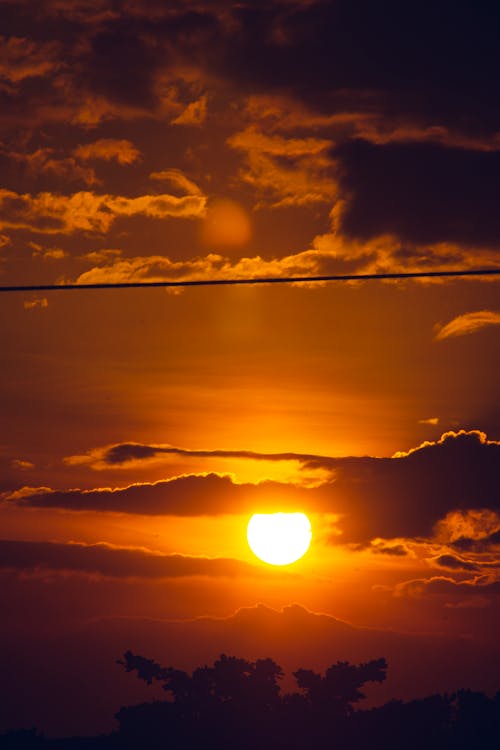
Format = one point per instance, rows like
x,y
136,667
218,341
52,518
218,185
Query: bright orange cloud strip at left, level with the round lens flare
x,y
51,213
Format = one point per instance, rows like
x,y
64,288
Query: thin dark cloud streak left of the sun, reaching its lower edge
x,y
115,562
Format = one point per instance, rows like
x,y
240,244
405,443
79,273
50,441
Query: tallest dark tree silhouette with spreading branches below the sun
x,y
237,702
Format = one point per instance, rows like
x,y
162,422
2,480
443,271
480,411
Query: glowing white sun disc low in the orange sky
x,y
279,538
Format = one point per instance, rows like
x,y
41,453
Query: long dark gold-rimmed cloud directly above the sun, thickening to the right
x,y
400,497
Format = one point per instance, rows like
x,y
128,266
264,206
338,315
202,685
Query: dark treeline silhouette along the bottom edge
x,y
236,704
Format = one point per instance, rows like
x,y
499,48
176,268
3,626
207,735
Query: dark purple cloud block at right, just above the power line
x,y
420,192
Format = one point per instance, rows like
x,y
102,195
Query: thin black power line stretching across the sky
x,y
258,280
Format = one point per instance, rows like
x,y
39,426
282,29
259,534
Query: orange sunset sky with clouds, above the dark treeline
x,y
143,140
